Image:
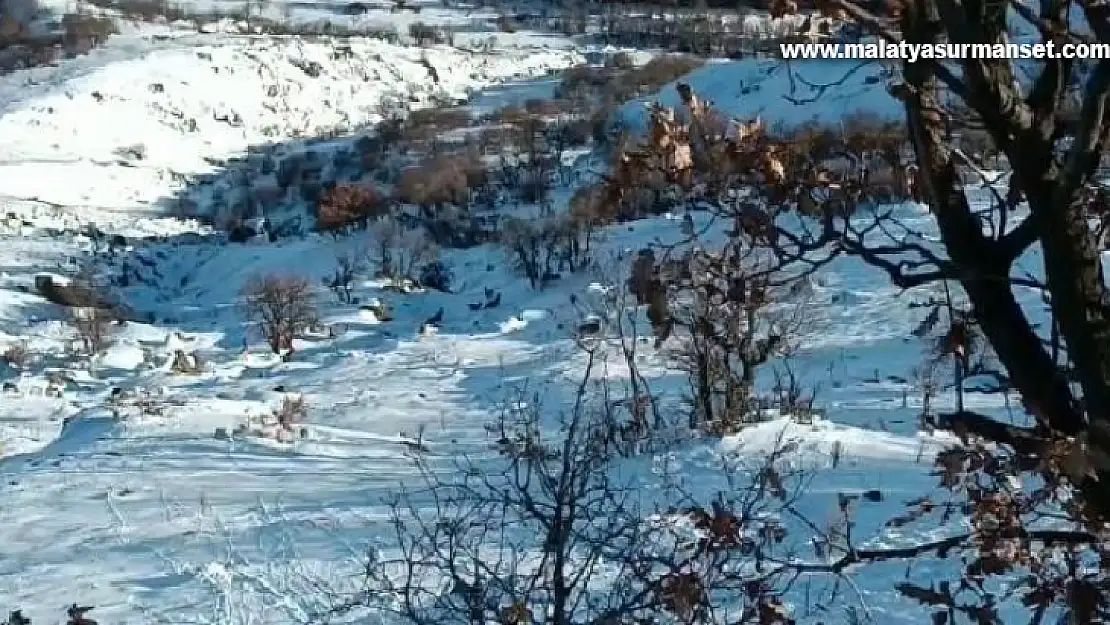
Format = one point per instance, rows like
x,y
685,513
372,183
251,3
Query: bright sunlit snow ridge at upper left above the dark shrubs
x,y
125,135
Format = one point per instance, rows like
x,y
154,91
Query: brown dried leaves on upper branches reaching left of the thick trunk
x,y
698,153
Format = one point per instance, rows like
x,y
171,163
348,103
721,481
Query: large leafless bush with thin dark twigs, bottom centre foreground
x,y
556,531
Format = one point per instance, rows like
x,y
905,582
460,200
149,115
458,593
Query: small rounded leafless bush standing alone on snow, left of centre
x,y
281,308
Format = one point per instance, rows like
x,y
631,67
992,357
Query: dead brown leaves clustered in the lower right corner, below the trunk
x,y
1003,506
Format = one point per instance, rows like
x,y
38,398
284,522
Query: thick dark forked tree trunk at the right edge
x,y
1074,274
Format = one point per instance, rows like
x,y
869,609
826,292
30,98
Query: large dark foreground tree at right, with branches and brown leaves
x,y
802,211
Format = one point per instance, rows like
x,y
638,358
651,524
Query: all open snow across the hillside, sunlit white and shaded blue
x,y
115,491
